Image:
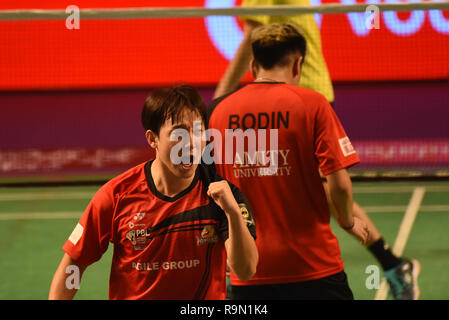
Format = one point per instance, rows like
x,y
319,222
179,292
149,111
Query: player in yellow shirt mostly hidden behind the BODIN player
x,y
401,273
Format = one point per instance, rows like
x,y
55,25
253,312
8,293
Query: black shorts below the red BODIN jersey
x,y
334,287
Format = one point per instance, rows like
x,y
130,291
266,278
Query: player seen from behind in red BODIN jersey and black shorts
x,y
299,256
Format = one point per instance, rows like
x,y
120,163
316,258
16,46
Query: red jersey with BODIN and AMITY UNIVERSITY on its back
x,y
295,240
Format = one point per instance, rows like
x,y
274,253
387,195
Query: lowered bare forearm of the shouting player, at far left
x,y
61,287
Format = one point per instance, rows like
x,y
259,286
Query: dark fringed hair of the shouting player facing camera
x,y
166,103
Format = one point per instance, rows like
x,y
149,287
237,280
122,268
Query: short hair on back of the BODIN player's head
x,y
274,43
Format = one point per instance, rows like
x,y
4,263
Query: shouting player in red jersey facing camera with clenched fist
x,y
172,225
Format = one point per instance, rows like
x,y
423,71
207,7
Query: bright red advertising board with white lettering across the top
x,y
41,55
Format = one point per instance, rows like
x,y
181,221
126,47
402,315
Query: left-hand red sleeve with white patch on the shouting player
x,y
91,236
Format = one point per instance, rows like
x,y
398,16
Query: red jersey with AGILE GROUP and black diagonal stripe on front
x,y
164,247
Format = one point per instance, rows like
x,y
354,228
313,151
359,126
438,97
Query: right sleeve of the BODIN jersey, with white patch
x,y
333,149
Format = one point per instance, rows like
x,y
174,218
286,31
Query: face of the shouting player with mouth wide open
x,y
181,141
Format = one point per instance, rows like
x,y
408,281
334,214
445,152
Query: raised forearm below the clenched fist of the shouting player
x,y
241,247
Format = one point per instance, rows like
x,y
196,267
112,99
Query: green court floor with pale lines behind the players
x,y
35,223
